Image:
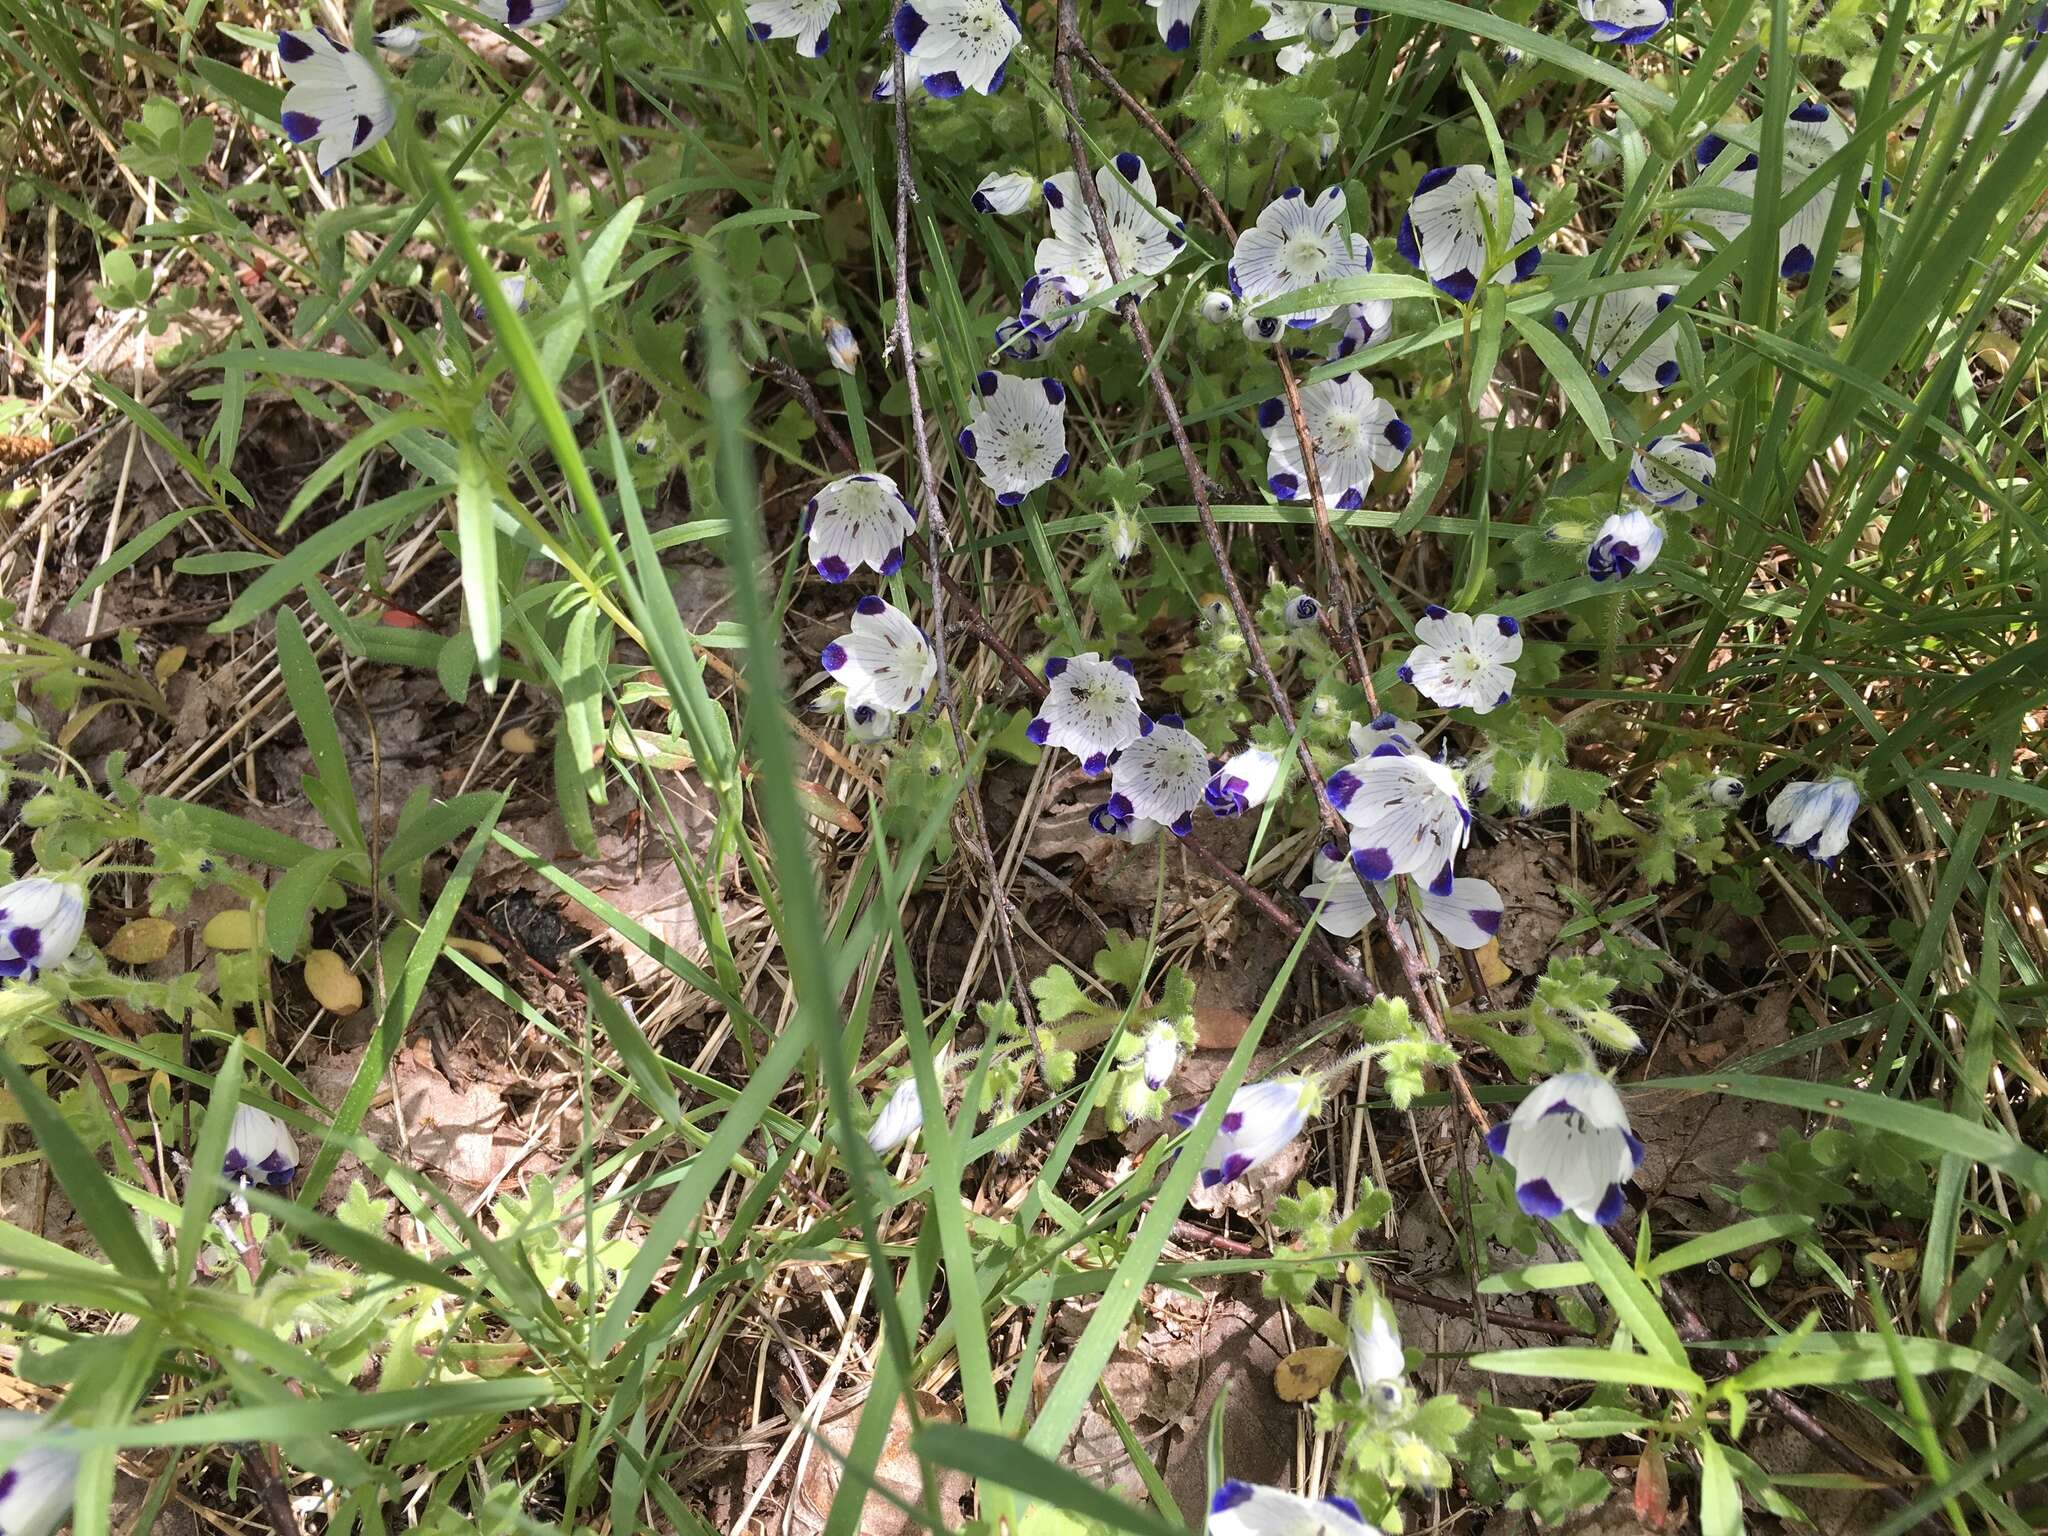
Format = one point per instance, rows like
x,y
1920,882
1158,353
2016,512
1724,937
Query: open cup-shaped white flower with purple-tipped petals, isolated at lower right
x,y
1572,1150
